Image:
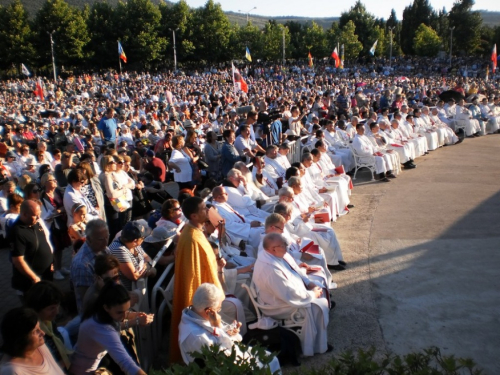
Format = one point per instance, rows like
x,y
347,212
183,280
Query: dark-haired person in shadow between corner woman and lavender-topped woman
x,y
45,299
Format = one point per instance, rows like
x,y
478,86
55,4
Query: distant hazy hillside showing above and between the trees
x,y
489,18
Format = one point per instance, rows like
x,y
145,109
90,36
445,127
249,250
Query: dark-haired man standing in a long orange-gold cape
x,y
195,264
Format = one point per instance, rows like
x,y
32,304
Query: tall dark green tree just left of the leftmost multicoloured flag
x,y
103,36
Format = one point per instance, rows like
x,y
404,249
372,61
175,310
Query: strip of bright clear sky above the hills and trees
x,y
329,8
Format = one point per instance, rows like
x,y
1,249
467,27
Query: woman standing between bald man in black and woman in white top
x,y
54,215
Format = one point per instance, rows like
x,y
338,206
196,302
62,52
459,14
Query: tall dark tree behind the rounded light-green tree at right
x,y
420,11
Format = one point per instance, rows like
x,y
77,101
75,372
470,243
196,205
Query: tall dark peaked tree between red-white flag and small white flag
x,y
364,23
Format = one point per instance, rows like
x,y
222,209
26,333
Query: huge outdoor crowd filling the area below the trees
x,y
246,185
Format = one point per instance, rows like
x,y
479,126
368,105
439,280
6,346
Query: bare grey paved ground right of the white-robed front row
x,y
423,254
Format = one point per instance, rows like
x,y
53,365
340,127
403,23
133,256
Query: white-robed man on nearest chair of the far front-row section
x,y
365,150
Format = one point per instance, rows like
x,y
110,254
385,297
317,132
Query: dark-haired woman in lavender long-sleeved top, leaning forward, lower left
x,y
100,332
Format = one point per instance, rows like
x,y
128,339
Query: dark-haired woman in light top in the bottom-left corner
x,y
24,345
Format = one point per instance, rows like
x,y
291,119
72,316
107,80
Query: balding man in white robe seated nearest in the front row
x,y
283,291
